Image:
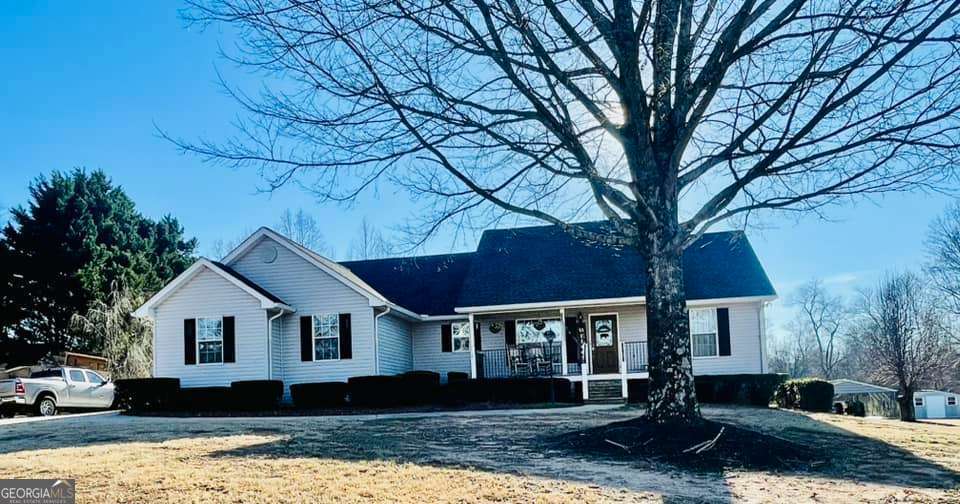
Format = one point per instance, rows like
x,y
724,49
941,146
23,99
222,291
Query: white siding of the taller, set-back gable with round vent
x,y
310,291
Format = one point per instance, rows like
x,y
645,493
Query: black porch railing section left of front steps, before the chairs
x,y
531,359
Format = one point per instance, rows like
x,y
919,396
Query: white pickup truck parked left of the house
x,y
58,388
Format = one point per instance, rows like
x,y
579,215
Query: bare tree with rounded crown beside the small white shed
x,y
904,335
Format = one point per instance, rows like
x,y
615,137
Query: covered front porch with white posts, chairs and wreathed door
x,y
583,344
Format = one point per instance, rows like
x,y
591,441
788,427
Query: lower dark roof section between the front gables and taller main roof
x,y
426,285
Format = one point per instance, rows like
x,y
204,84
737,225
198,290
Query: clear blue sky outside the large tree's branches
x,y
83,87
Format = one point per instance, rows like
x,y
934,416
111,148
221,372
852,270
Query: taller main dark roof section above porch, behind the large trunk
x,y
543,264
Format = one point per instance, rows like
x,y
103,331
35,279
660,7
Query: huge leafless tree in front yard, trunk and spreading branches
x,y
556,109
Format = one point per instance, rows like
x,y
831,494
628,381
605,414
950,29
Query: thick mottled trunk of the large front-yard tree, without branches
x,y
672,395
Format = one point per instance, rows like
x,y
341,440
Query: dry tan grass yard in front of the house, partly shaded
x,y
462,458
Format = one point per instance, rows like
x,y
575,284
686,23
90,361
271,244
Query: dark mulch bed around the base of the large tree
x,y
701,446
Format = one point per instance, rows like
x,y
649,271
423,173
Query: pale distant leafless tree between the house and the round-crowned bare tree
x,y
823,318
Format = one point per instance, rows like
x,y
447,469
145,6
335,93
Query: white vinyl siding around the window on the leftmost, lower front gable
x,y
208,294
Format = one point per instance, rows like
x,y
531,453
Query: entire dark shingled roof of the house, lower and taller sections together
x,y
544,264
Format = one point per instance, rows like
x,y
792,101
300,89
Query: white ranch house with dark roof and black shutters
x,y
529,302
